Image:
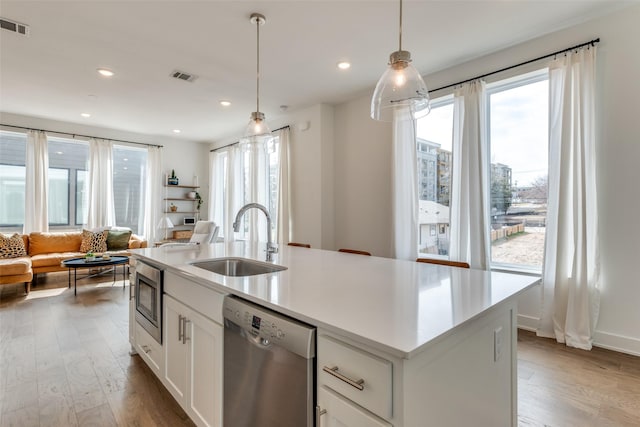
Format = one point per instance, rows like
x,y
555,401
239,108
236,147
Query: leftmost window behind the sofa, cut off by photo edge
x,y
12,180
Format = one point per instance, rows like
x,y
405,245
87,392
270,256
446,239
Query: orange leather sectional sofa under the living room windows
x,y
46,251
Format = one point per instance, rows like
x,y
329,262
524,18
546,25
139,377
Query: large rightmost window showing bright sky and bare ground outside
x,y
518,138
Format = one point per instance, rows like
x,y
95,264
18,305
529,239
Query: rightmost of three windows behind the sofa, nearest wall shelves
x,y
129,170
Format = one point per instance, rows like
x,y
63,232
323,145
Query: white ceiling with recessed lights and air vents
x,y
52,73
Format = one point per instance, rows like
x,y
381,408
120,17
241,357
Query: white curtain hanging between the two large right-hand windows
x,y
470,238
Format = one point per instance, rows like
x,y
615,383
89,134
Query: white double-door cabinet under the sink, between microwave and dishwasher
x,y
193,350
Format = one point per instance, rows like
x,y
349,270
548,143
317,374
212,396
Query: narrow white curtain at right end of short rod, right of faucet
x,y
283,227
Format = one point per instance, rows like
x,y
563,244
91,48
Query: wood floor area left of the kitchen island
x,y
64,360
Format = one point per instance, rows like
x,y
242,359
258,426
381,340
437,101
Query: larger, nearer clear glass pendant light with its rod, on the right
x,y
400,88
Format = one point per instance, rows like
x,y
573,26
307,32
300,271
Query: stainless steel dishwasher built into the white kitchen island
x,y
269,362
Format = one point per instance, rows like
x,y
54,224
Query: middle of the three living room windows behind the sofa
x,y
68,159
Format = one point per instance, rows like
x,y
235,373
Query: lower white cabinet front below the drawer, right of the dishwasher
x,y
336,411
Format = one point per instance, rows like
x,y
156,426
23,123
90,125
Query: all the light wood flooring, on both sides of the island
x,y
64,361
